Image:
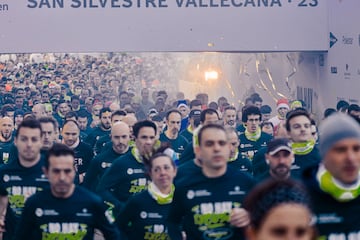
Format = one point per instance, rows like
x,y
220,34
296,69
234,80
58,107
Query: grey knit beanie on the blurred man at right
x,y
335,128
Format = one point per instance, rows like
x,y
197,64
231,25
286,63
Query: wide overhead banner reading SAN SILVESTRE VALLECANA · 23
x,y
162,25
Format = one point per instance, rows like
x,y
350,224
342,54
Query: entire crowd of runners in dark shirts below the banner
x,y
88,148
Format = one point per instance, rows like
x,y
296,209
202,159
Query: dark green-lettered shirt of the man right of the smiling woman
x,y
203,205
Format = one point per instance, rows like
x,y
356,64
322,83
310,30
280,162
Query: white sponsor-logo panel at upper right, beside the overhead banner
x,y
342,73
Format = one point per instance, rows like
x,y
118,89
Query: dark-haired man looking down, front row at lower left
x,y
64,211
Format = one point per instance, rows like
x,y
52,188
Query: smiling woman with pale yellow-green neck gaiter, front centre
x,y
144,215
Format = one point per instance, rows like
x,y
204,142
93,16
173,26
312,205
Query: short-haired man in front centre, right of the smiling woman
x,y
213,196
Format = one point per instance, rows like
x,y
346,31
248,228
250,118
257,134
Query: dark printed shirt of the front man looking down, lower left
x,y
76,217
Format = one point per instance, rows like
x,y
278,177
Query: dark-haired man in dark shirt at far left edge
x,y
23,176
